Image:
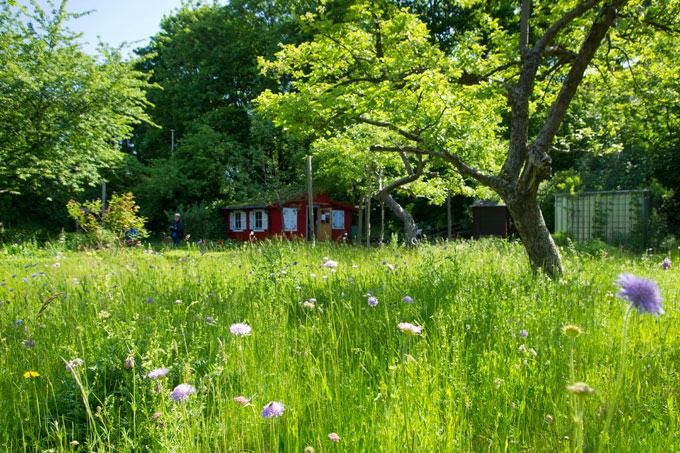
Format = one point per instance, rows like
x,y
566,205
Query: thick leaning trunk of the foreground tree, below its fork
x,y
535,236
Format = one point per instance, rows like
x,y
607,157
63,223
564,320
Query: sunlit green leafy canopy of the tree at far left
x,y
63,113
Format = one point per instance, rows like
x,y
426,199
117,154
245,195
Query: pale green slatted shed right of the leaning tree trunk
x,y
612,216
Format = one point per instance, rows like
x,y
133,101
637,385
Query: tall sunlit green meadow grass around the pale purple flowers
x,y
489,372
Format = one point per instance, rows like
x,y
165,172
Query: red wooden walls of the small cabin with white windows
x,y
332,219
